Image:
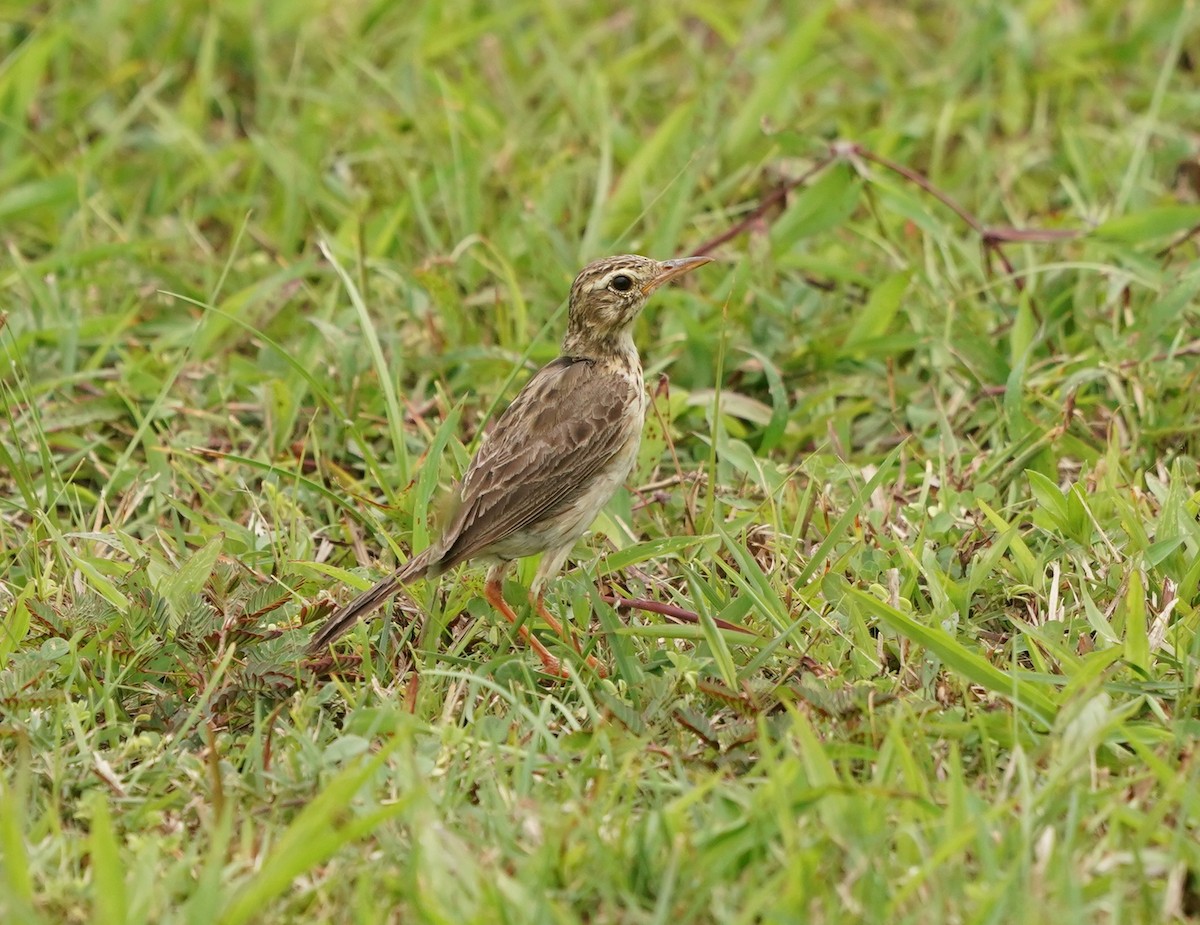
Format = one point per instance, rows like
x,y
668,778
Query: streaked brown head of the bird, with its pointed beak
x,y
608,297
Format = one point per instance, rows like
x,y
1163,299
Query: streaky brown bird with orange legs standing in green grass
x,y
553,460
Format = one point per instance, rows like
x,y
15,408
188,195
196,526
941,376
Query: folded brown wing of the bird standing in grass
x,y
541,455
